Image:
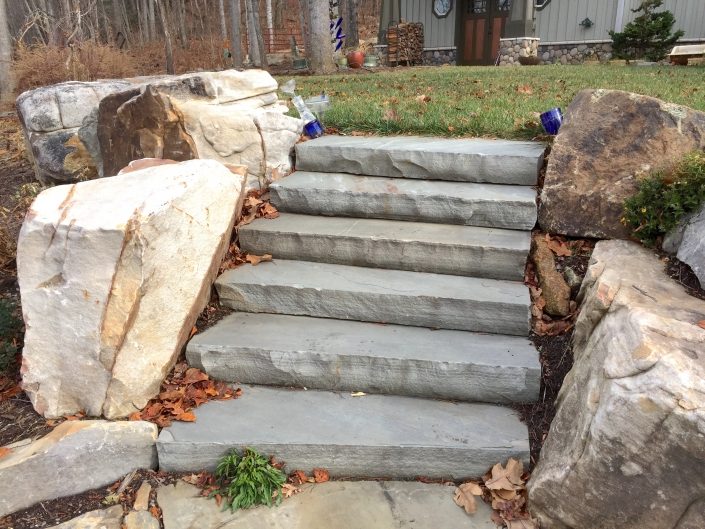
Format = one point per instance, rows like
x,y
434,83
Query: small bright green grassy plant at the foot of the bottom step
x,y
248,479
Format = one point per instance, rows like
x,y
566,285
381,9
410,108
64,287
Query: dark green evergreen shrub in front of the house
x,y
648,36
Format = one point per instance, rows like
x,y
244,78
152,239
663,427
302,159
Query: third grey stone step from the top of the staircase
x,y
394,244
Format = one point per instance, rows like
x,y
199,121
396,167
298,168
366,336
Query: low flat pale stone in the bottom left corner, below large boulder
x,y
75,457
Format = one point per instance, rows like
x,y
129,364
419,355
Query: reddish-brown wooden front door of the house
x,y
482,25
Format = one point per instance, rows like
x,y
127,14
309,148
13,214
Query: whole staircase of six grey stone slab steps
x,y
397,272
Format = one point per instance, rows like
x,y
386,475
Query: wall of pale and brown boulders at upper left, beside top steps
x,y
79,131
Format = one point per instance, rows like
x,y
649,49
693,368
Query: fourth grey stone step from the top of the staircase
x,y
377,295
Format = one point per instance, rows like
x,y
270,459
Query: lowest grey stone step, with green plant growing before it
x,y
368,436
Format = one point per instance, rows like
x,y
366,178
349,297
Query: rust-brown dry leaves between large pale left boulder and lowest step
x,y
184,389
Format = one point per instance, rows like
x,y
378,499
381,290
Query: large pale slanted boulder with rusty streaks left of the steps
x,y
113,274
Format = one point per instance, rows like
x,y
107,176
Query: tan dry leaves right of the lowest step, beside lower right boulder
x,y
504,488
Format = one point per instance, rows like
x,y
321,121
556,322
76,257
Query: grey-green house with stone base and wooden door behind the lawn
x,y
566,31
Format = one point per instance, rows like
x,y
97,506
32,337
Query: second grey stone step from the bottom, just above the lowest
x,y
340,355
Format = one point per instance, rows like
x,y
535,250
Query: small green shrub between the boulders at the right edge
x,y
663,199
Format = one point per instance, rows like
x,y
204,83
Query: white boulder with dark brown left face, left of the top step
x,y
194,117
